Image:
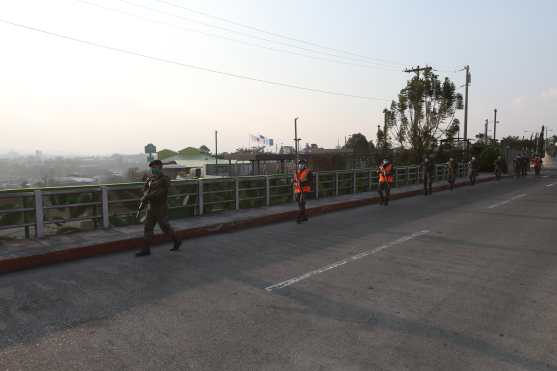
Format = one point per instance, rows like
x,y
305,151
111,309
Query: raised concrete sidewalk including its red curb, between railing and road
x,y
23,254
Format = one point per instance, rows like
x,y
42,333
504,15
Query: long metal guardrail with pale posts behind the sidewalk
x,y
116,204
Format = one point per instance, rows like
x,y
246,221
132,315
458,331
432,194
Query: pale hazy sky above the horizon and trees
x,y
64,97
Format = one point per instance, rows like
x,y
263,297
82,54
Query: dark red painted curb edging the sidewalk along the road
x,y
82,252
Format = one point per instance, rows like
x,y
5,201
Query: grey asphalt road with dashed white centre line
x,y
462,280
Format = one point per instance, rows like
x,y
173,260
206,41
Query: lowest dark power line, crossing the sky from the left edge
x,y
200,68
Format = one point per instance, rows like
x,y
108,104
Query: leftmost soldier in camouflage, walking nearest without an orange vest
x,y
155,194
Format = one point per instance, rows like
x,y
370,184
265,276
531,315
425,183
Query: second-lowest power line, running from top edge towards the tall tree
x,y
234,40
